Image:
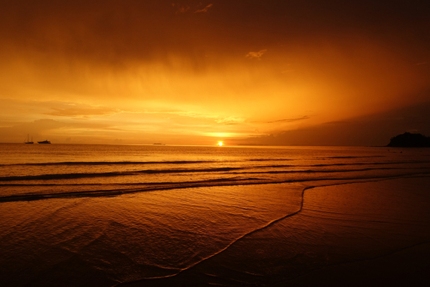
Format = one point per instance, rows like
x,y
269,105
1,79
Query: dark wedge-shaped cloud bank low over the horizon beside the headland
x,y
372,130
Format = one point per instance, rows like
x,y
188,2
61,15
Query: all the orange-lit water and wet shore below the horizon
x,y
155,215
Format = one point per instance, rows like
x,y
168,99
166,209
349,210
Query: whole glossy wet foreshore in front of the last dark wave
x,y
369,233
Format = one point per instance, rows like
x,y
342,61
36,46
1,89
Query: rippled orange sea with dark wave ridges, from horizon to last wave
x,y
29,172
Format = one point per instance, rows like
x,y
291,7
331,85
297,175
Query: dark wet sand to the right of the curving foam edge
x,y
356,234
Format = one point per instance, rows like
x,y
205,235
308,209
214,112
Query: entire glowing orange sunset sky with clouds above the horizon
x,y
285,72
